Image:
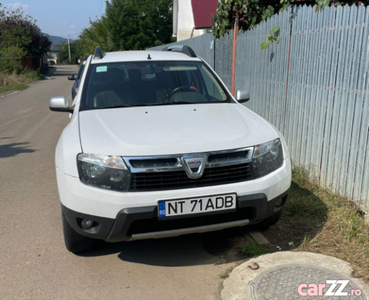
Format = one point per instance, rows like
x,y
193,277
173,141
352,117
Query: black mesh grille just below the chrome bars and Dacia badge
x,y
151,181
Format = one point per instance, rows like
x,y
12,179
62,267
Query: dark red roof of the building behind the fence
x,y
203,10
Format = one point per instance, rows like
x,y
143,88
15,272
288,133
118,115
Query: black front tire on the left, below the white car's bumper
x,y
75,242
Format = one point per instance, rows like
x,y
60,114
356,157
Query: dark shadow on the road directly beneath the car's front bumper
x,y
188,250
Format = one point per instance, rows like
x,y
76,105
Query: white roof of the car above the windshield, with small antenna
x,y
143,55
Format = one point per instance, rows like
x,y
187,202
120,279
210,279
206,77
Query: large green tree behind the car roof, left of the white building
x,y
128,25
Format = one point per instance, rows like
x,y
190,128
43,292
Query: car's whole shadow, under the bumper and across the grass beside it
x,y
302,220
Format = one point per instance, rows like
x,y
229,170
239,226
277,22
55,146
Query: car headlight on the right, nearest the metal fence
x,y
267,158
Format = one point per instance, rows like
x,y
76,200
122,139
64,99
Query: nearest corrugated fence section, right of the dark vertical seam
x,y
327,107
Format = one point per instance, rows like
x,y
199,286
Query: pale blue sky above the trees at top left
x,y
62,17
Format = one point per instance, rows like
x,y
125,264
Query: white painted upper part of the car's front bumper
x,y
107,204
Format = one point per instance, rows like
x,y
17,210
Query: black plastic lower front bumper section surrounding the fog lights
x,y
134,223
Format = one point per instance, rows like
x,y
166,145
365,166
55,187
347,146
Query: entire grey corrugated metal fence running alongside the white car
x,y
313,86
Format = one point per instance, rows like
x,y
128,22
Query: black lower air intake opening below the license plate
x,y
155,225
